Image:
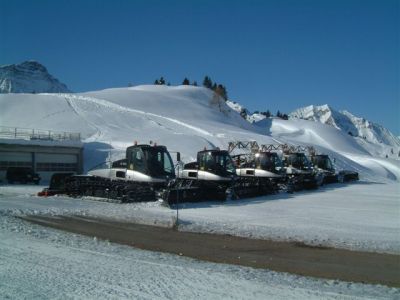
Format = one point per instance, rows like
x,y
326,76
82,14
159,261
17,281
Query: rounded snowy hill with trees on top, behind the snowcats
x,y
185,119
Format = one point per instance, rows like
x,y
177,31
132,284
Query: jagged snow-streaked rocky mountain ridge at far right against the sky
x,y
348,123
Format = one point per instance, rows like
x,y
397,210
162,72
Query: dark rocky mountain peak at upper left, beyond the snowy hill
x,y
29,77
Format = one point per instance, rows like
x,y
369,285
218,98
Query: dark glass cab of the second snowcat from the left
x,y
219,163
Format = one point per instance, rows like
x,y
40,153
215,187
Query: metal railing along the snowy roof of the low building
x,y
38,134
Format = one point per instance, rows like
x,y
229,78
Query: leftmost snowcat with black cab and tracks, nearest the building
x,y
140,176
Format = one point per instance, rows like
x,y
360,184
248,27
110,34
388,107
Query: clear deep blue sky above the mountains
x,y
269,54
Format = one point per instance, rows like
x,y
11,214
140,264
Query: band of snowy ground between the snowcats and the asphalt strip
x,y
360,216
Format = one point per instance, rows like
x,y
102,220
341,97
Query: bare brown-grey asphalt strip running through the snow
x,y
291,257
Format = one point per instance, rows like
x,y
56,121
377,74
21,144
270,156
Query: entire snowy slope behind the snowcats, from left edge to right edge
x,y
184,118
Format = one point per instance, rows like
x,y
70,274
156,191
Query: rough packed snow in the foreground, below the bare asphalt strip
x,y
41,263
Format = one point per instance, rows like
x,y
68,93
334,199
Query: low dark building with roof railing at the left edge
x,y
47,152
